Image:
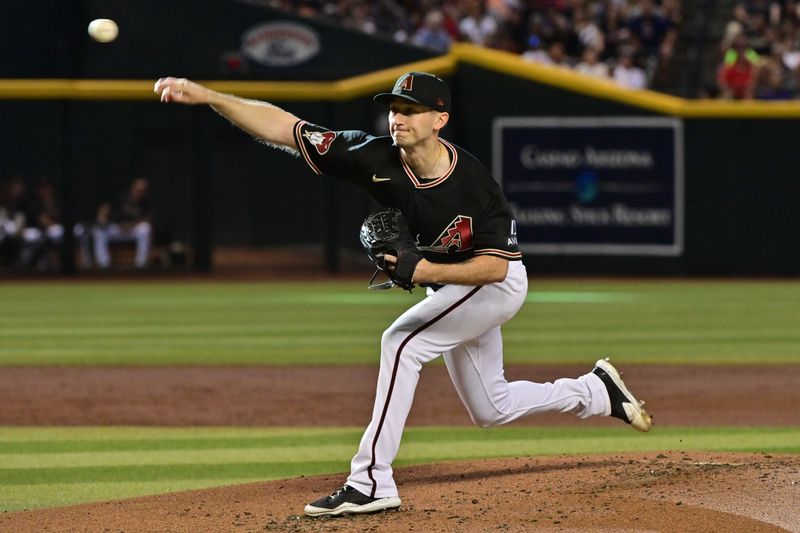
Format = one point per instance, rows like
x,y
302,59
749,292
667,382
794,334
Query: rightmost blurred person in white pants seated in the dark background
x,y
129,220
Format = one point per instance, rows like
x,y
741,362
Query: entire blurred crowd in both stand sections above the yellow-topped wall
x,y
629,41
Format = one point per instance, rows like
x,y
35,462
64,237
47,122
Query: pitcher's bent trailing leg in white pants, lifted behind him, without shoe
x,y
476,368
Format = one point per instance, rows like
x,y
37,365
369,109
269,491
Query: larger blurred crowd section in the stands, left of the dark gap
x,y
629,41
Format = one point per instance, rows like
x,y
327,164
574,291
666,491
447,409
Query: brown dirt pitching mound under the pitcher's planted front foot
x,y
633,492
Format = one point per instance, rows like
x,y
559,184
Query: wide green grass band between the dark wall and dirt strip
x,y
234,323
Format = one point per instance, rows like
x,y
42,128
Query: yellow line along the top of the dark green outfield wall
x,y
367,84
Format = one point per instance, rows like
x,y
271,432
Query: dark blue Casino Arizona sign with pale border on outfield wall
x,y
593,185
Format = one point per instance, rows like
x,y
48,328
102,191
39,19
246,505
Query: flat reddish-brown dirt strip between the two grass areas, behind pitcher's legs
x,y
343,395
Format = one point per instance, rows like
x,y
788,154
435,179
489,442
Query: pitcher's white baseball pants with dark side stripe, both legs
x,y
462,323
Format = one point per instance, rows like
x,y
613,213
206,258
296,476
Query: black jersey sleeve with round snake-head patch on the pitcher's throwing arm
x,y
338,153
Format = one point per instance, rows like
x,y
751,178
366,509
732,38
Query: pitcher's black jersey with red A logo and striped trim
x,y
456,216
